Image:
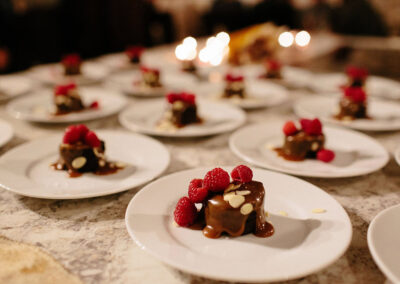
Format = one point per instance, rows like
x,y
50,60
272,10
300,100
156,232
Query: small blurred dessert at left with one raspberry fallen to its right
x,y
67,99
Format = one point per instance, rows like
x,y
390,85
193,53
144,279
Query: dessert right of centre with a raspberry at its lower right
x,y
307,141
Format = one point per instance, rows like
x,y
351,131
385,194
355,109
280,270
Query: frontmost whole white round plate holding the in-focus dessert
x,y
301,235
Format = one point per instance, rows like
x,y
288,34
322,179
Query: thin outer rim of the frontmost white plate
x,y
176,265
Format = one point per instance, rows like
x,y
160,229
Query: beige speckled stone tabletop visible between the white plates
x,y
89,238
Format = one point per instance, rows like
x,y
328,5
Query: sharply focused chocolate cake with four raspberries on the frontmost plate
x,y
235,208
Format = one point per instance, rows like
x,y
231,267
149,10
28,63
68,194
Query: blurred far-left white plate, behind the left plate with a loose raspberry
x,y
53,74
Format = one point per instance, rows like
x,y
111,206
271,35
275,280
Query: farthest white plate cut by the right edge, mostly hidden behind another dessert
x,y
375,86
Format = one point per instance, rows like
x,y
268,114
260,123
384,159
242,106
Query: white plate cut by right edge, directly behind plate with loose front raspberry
x,y
385,116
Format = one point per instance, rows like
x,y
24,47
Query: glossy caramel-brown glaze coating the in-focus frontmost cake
x,y
221,217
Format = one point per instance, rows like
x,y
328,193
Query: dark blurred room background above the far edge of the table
x,y
41,31
